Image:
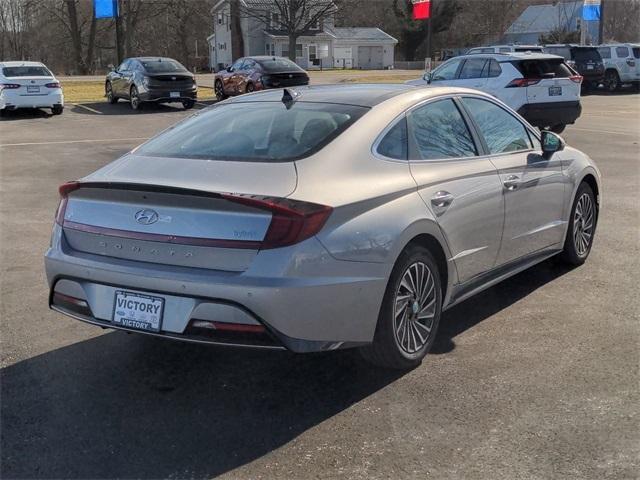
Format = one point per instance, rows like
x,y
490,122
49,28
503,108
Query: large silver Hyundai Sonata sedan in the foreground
x,y
320,218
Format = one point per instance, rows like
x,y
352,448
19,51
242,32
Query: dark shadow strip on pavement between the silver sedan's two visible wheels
x,y
469,313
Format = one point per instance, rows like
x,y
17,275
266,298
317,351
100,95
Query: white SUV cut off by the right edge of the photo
x,y
621,65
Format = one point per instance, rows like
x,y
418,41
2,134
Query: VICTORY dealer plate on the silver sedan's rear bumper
x,y
135,317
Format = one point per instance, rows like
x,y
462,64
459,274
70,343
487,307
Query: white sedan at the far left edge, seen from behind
x,y
29,85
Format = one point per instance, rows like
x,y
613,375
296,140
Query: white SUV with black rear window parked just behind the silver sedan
x,y
539,86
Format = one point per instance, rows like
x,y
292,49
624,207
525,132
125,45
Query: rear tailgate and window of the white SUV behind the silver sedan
x,y
555,81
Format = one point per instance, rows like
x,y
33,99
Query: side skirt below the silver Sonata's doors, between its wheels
x,y
488,279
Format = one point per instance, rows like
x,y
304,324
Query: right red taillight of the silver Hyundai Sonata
x,y
292,221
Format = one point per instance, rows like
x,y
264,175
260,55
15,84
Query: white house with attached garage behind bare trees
x,y
324,46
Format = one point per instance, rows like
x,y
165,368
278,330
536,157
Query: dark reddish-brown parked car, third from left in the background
x,y
250,74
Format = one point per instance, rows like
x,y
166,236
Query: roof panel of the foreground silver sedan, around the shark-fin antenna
x,y
361,94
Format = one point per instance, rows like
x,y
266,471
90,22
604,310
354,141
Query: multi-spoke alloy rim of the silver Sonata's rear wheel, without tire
x,y
414,308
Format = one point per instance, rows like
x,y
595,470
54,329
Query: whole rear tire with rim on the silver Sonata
x,y
402,338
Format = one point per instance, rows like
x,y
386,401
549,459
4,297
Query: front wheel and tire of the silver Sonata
x,y
582,227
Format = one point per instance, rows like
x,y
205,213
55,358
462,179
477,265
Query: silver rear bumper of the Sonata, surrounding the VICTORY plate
x,y
308,302
